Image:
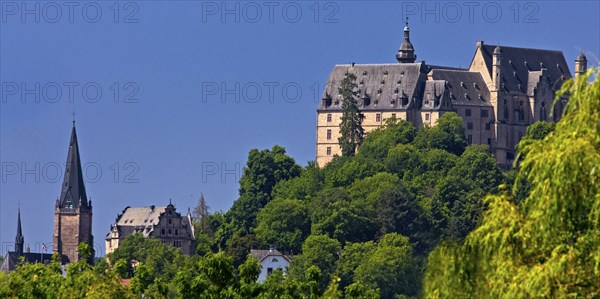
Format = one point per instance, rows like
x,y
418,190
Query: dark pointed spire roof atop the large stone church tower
x,y
73,193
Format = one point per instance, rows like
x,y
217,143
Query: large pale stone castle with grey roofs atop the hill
x,y
504,90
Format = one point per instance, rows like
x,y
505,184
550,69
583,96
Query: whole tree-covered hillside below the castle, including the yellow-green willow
x,y
413,213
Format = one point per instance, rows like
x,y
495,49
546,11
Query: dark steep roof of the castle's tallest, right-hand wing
x,y
518,62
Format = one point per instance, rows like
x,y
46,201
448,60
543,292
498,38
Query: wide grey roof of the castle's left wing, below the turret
x,y
380,86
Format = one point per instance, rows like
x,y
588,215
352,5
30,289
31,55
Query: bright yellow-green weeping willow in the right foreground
x,y
548,245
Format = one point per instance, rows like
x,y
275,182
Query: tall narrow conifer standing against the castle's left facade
x,y
351,131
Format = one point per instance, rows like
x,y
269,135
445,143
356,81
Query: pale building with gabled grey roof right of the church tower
x,y
163,223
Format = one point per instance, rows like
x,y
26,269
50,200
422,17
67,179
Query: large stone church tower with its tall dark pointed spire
x,y
73,210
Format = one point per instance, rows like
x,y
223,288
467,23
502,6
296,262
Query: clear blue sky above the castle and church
x,y
171,95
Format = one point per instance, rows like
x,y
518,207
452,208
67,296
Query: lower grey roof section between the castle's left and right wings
x,y
464,87
